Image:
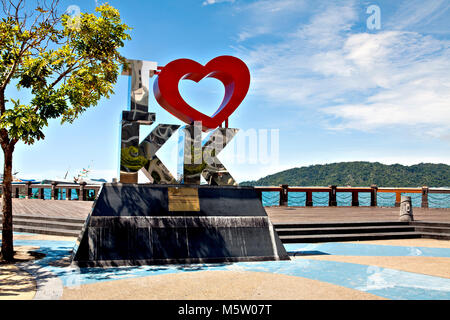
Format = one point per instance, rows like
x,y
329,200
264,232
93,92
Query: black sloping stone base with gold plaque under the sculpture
x,y
146,224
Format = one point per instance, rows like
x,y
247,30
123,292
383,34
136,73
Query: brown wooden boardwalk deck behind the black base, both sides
x,y
80,209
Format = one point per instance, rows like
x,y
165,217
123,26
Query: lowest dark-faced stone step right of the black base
x,y
348,237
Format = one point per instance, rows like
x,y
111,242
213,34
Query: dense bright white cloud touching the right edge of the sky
x,y
410,72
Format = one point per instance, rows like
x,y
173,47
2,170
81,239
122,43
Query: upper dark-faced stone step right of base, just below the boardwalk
x,y
344,230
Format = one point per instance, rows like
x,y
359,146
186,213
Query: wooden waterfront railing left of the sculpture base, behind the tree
x,y
82,190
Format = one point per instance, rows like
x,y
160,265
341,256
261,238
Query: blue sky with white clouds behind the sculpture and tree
x,y
334,89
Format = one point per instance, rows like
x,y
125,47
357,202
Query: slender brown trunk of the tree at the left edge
x,y
7,231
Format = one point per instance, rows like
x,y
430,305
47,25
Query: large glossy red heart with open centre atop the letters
x,y
233,73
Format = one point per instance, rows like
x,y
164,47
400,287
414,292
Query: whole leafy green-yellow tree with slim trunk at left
x,y
67,64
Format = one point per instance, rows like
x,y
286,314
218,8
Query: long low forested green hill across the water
x,y
360,174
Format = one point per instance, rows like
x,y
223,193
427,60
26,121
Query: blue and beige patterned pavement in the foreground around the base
x,y
385,269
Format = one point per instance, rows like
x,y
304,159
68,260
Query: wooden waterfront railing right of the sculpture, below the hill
x,y
284,191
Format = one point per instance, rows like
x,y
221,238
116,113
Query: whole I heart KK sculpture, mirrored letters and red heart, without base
x,y
197,157
